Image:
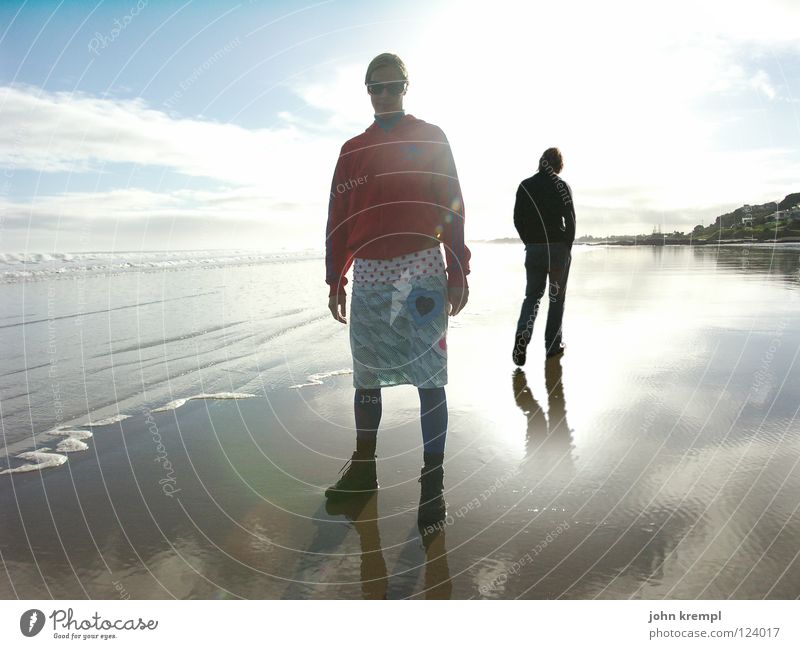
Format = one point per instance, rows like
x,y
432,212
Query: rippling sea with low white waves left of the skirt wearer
x,y
91,338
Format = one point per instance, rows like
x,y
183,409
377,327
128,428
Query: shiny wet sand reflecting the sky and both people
x,y
657,459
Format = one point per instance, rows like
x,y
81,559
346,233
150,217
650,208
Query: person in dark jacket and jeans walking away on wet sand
x,y
544,216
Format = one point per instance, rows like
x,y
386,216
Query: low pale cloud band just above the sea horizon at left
x,y
158,220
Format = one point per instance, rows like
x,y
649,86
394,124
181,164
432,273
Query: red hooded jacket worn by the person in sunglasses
x,y
393,193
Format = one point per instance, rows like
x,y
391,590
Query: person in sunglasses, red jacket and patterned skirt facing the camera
x,y
394,199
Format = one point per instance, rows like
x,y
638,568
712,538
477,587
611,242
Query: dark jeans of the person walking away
x,y
543,261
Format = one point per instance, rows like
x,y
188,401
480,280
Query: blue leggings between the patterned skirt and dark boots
x,y
432,410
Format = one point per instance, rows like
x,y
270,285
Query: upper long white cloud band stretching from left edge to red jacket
x,y
76,132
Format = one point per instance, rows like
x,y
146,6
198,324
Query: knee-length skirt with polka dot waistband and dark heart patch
x,y
398,321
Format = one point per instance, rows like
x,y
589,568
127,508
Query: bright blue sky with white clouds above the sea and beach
x,y
195,125
